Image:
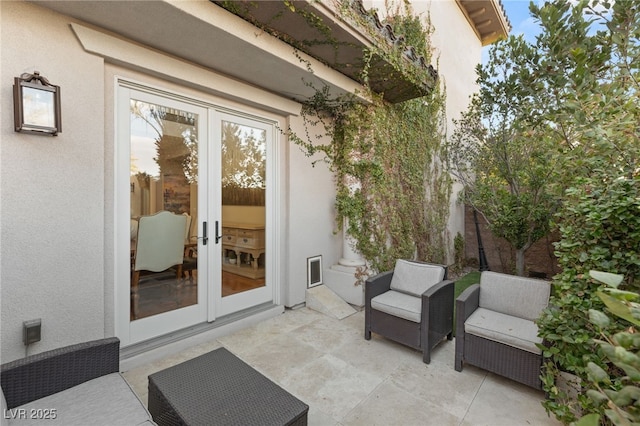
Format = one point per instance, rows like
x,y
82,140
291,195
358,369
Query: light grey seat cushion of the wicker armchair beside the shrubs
x,y
513,331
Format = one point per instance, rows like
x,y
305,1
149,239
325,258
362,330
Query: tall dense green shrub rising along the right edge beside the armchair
x,y
590,67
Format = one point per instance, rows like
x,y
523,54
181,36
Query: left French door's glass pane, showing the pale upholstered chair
x,y
163,178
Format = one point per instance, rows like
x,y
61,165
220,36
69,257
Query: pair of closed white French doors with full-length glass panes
x,y
185,163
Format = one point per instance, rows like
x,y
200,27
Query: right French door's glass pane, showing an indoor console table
x,y
243,207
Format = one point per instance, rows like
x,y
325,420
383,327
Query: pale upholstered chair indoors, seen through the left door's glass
x,y
159,246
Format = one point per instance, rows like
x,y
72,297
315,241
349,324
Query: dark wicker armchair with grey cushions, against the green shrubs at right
x,y
496,329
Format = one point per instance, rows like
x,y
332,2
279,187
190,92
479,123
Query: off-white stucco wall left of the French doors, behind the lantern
x,y
52,190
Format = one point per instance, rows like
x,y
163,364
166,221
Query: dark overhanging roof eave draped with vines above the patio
x,y
341,45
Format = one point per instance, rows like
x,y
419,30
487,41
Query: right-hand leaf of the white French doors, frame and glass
x,y
246,147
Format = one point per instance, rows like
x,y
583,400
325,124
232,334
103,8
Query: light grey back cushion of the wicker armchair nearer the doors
x,y
415,278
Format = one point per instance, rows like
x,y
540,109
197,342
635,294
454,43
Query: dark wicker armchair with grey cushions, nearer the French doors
x,y
412,305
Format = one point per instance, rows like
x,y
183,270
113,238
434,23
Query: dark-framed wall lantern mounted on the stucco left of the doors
x,y
36,105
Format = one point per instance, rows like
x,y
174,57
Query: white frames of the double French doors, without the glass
x,y
213,305
